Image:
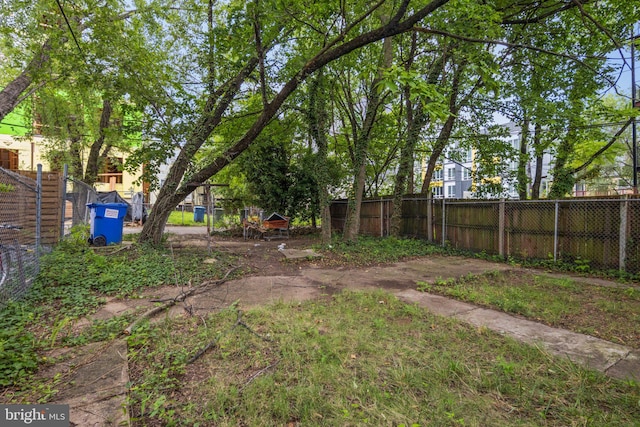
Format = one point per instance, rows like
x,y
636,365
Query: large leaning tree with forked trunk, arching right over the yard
x,y
217,103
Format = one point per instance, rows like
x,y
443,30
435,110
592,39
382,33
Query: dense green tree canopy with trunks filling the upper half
x,y
377,89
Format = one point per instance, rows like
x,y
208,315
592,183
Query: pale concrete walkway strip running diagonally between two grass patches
x,y
584,349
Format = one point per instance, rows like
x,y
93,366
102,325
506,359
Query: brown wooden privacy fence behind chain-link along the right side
x,y
601,232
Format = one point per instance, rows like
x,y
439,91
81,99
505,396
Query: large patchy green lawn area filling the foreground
x,y
359,358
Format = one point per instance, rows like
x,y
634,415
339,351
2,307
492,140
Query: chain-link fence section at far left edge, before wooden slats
x,y
20,222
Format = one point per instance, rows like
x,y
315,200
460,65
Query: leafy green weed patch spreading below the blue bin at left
x,y
73,282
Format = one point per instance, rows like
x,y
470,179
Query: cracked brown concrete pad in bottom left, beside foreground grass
x,y
98,385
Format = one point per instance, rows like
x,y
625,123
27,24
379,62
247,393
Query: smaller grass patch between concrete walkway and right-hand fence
x,y
611,313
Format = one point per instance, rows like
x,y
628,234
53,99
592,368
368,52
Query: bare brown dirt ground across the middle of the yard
x,y
282,269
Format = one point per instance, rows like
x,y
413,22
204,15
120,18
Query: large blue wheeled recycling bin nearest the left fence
x,y
107,221
